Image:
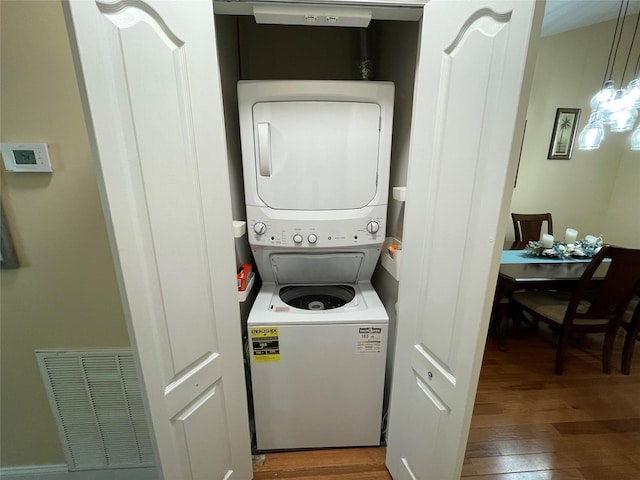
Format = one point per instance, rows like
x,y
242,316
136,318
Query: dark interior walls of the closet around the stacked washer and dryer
x,y
251,51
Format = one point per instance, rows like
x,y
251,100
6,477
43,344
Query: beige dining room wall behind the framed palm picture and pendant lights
x,y
596,192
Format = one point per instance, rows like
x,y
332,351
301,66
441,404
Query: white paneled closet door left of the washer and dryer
x,y
149,77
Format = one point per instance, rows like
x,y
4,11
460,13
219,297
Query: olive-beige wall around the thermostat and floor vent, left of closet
x,y
64,293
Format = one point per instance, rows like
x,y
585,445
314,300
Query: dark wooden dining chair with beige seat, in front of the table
x,y
586,309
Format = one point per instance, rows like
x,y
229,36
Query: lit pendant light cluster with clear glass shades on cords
x,y
615,109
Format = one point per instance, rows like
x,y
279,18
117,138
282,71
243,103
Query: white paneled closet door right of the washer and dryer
x,y
470,97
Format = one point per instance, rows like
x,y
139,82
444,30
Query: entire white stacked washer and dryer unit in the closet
x,y
316,158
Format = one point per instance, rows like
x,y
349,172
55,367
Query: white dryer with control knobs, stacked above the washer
x,y
315,158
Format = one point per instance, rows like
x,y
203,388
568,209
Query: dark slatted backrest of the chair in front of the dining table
x,y
613,294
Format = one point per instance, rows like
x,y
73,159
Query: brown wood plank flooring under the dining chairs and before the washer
x,y
528,424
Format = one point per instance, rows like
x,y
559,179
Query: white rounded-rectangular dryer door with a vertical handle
x,y
316,155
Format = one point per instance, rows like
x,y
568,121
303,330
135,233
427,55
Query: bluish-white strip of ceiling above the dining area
x,y
563,15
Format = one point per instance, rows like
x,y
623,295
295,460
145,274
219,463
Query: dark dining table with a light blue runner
x,y
520,270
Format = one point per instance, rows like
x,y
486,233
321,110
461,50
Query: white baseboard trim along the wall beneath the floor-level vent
x,y
60,472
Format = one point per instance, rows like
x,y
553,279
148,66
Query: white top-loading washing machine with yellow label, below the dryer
x,y
317,375
